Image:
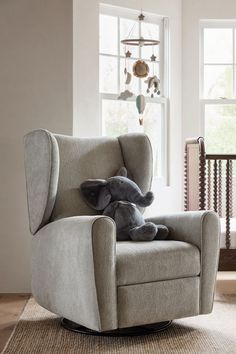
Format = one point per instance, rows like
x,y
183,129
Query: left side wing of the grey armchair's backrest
x,y
42,171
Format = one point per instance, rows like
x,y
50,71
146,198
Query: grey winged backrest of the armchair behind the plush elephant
x,y
56,165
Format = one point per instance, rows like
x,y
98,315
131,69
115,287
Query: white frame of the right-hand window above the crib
x,y
217,24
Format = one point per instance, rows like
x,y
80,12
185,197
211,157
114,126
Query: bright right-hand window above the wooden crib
x,y
218,86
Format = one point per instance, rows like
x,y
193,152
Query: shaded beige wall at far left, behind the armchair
x,y
35,92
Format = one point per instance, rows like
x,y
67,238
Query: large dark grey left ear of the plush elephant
x,y
95,193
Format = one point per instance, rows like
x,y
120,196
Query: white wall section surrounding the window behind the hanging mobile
x,y
86,76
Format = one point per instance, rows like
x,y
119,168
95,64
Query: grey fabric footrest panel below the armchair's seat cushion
x,y
158,301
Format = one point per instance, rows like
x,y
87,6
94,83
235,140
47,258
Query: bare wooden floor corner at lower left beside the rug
x,y
11,306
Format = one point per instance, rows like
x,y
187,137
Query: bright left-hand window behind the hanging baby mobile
x,y
121,116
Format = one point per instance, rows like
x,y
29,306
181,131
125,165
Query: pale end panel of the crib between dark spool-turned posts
x,y
194,174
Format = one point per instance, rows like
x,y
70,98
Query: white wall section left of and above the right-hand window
x,y
193,12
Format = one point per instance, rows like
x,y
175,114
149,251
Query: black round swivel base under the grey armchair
x,y
120,332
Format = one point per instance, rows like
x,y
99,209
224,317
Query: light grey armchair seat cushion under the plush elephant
x,y
142,262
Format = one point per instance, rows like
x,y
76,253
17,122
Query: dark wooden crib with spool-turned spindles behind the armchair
x,y
208,184
